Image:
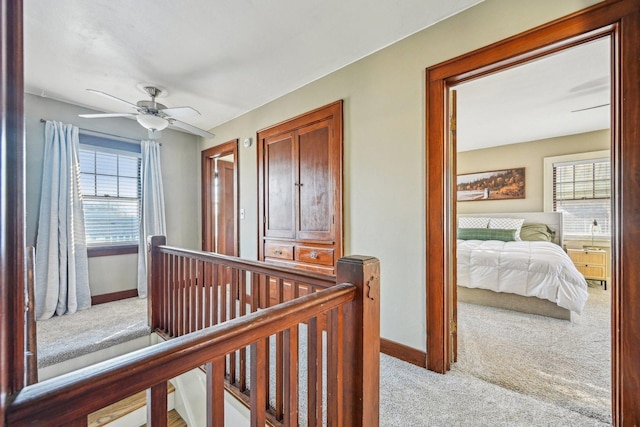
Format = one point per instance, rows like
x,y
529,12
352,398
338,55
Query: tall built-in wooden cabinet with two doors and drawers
x,y
300,191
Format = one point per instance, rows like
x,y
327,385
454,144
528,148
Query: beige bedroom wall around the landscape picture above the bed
x,y
529,155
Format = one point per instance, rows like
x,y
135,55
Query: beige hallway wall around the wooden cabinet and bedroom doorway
x,y
384,139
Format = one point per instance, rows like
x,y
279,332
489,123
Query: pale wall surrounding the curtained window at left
x,y
178,154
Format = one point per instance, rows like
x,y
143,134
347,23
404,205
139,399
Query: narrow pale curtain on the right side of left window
x,y
152,219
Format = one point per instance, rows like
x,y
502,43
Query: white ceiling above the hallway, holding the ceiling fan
x,y
223,58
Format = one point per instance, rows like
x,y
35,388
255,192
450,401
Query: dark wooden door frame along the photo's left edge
x,y
12,200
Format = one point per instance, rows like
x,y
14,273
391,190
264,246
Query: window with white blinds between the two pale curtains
x,y
110,184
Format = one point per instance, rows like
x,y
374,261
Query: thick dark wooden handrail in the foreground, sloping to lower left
x,y
72,396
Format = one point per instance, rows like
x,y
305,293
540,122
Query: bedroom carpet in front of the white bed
x,y
556,361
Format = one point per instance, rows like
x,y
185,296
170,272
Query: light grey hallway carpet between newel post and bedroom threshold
x,y
412,396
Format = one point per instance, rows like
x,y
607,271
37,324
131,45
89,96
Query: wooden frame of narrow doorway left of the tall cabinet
x,y
208,157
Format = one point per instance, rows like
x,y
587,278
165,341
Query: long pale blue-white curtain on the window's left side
x,y
62,271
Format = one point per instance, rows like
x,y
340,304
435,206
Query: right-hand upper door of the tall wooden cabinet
x,y
314,185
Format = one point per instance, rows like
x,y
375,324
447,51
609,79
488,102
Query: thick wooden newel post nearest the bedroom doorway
x,y
361,341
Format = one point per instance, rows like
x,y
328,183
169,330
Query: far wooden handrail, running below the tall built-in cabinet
x,y
287,273
